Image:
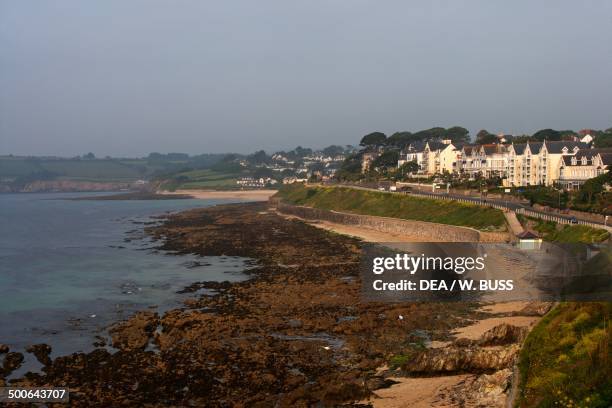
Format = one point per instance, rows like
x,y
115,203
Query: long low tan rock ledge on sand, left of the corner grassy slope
x,y
454,359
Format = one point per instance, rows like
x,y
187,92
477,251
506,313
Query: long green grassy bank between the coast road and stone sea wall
x,y
394,205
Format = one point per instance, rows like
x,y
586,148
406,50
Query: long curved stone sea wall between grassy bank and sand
x,y
425,231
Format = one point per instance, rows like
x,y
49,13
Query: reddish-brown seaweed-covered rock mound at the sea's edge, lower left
x,y
134,334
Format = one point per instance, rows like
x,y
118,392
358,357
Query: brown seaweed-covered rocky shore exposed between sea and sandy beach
x,y
295,334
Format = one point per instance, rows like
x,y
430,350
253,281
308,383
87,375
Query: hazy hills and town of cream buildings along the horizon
x,y
560,169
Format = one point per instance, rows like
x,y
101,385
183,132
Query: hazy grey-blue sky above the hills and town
x,y
129,77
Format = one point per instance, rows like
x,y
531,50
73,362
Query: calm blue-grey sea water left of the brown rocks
x,y
70,268
